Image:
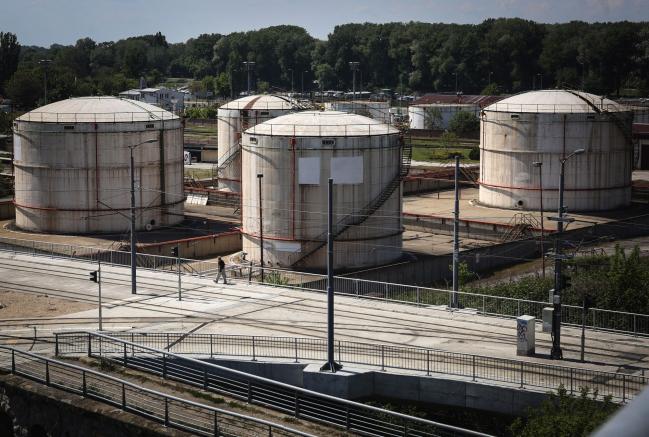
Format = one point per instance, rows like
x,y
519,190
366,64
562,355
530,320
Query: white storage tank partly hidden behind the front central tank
x,y
235,117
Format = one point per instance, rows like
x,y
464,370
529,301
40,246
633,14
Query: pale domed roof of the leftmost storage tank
x,y
105,109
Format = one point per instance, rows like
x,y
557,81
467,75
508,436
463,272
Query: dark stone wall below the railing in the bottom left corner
x,y
32,409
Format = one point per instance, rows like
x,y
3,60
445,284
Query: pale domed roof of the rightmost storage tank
x,y
556,101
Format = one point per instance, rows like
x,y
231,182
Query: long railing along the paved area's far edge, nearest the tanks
x,y
596,318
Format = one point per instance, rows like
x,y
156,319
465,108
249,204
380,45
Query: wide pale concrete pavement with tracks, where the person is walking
x,y
243,309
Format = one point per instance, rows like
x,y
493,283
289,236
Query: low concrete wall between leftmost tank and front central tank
x,y
198,247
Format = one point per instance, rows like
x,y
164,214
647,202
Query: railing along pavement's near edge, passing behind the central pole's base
x,y
523,374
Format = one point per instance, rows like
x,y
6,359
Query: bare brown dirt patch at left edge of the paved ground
x,y
15,305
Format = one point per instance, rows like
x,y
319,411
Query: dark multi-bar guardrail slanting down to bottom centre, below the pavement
x,y
303,404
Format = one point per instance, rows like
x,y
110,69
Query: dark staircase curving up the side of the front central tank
x,y
358,217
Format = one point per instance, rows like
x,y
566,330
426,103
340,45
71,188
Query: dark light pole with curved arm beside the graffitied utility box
x,y
556,351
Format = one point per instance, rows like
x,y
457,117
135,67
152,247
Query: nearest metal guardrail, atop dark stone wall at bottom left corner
x,y
169,410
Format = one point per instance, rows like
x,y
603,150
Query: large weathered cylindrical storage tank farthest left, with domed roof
x,y
72,166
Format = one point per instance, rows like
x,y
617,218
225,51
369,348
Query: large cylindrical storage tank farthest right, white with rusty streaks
x,y
545,126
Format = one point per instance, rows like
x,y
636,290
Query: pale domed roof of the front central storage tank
x,y
322,124
